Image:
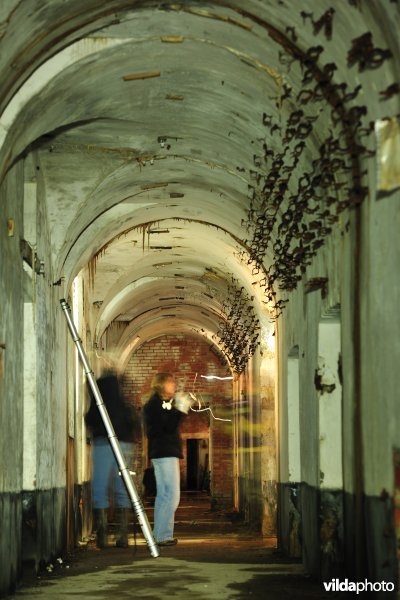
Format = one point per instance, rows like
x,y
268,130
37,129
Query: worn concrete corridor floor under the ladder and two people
x,y
215,558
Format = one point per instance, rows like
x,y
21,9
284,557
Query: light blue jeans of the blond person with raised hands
x,y
167,475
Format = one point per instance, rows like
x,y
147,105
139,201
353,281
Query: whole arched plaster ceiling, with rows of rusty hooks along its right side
x,y
199,152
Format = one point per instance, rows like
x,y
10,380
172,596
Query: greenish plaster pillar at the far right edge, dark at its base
x,y
380,380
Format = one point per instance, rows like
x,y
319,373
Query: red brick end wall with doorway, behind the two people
x,y
188,357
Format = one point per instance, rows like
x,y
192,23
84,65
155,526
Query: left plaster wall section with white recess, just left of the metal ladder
x,y
44,495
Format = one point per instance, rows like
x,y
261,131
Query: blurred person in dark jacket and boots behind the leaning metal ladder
x,y
105,466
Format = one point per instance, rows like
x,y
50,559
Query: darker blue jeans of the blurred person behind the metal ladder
x,y
105,474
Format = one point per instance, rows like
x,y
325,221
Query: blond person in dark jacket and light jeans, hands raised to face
x,y
161,419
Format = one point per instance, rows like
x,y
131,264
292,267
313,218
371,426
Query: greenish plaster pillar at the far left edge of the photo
x,y
11,390
